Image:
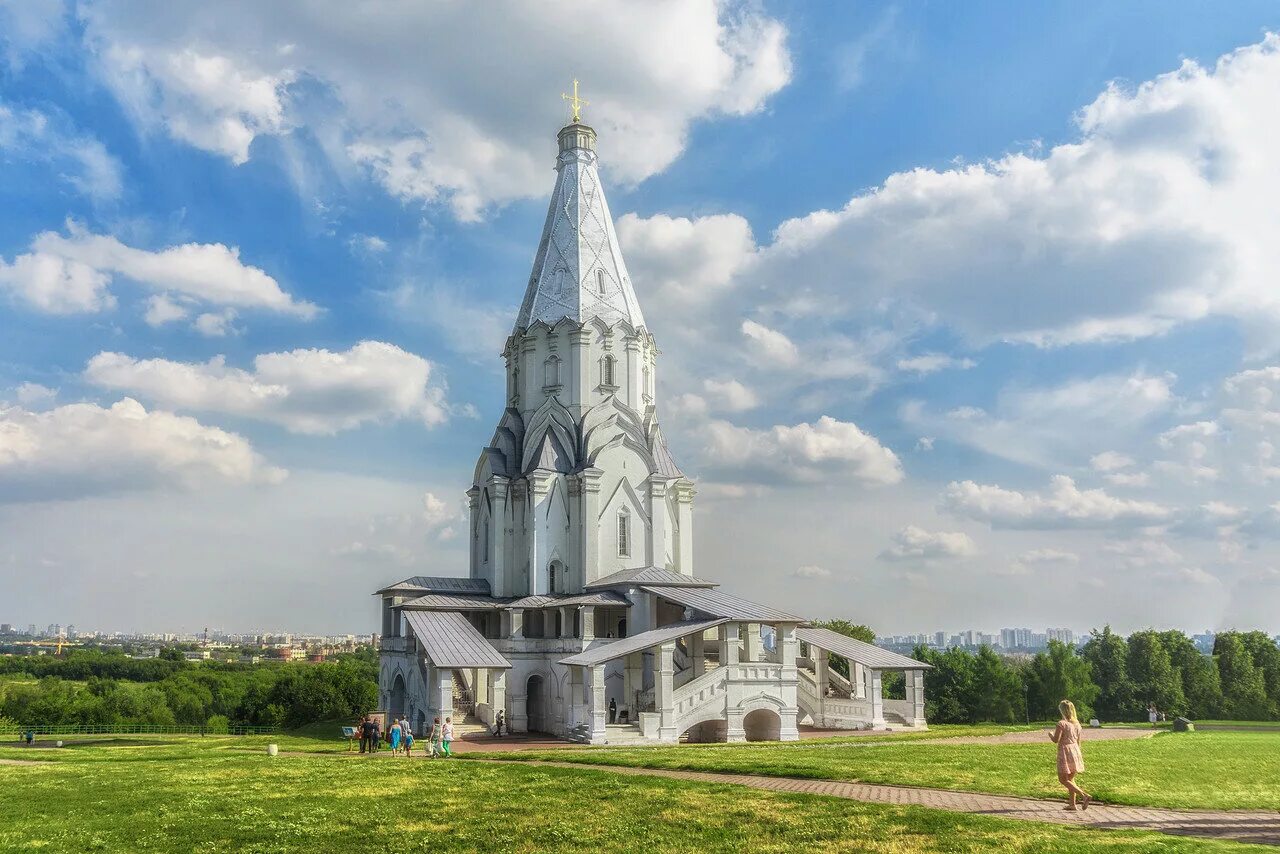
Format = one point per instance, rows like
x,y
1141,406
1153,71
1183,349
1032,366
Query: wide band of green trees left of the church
x,y
90,688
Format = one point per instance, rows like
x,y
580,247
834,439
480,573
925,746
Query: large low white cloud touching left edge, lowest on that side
x,y
81,450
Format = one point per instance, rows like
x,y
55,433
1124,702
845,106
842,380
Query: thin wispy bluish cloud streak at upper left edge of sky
x,y
80,161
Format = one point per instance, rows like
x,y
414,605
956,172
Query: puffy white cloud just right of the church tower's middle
x,y
828,450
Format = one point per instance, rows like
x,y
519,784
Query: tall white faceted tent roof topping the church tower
x,y
579,272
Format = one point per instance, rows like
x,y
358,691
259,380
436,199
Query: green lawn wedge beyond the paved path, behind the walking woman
x,y
1195,770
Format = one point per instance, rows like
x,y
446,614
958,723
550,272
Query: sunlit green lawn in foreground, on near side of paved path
x,y
216,794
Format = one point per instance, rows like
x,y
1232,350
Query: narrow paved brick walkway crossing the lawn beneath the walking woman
x,y
1252,826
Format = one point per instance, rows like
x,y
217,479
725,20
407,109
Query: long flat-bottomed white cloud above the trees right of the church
x,y
1063,506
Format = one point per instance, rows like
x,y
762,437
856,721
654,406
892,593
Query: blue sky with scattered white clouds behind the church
x,y
988,291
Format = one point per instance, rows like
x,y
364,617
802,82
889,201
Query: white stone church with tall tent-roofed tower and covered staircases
x,y
583,616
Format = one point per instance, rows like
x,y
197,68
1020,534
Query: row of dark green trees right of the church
x,y
1110,678
